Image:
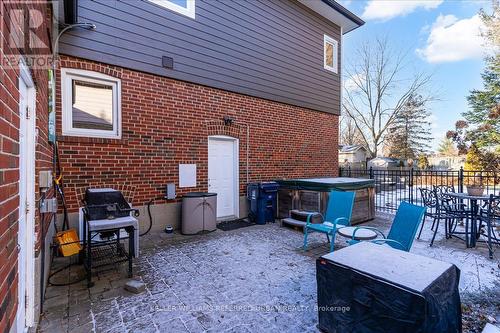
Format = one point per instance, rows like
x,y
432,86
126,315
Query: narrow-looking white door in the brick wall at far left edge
x,y
26,228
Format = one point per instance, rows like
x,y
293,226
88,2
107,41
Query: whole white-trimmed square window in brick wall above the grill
x,y
91,104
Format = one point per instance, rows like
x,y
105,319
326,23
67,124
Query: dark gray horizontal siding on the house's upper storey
x,y
266,48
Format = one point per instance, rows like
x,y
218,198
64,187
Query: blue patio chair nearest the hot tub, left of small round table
x,y
338,213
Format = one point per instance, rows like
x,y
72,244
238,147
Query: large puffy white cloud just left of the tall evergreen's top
x,y
451,39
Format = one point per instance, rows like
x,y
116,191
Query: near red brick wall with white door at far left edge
x,y
24,153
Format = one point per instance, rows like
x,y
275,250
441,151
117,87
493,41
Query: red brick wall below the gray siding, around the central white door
x,y
166,122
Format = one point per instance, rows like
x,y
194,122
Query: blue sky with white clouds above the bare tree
x,y
442,38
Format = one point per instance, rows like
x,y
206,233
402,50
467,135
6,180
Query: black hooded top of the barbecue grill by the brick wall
x,y
105,203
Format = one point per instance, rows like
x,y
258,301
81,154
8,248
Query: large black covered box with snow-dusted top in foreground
x,y
374,288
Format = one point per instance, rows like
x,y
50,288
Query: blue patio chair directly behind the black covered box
x,y
403,230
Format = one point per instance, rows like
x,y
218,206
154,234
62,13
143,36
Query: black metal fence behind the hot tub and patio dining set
x,y
395,185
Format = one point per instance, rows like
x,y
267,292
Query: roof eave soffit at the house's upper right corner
x,y
334,12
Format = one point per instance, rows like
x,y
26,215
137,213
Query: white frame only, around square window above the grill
x,y
69,74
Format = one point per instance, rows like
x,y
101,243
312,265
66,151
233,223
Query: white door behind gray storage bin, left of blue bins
x,y
223,174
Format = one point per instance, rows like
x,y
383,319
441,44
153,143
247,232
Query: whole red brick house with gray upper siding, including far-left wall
x,y
205,95
